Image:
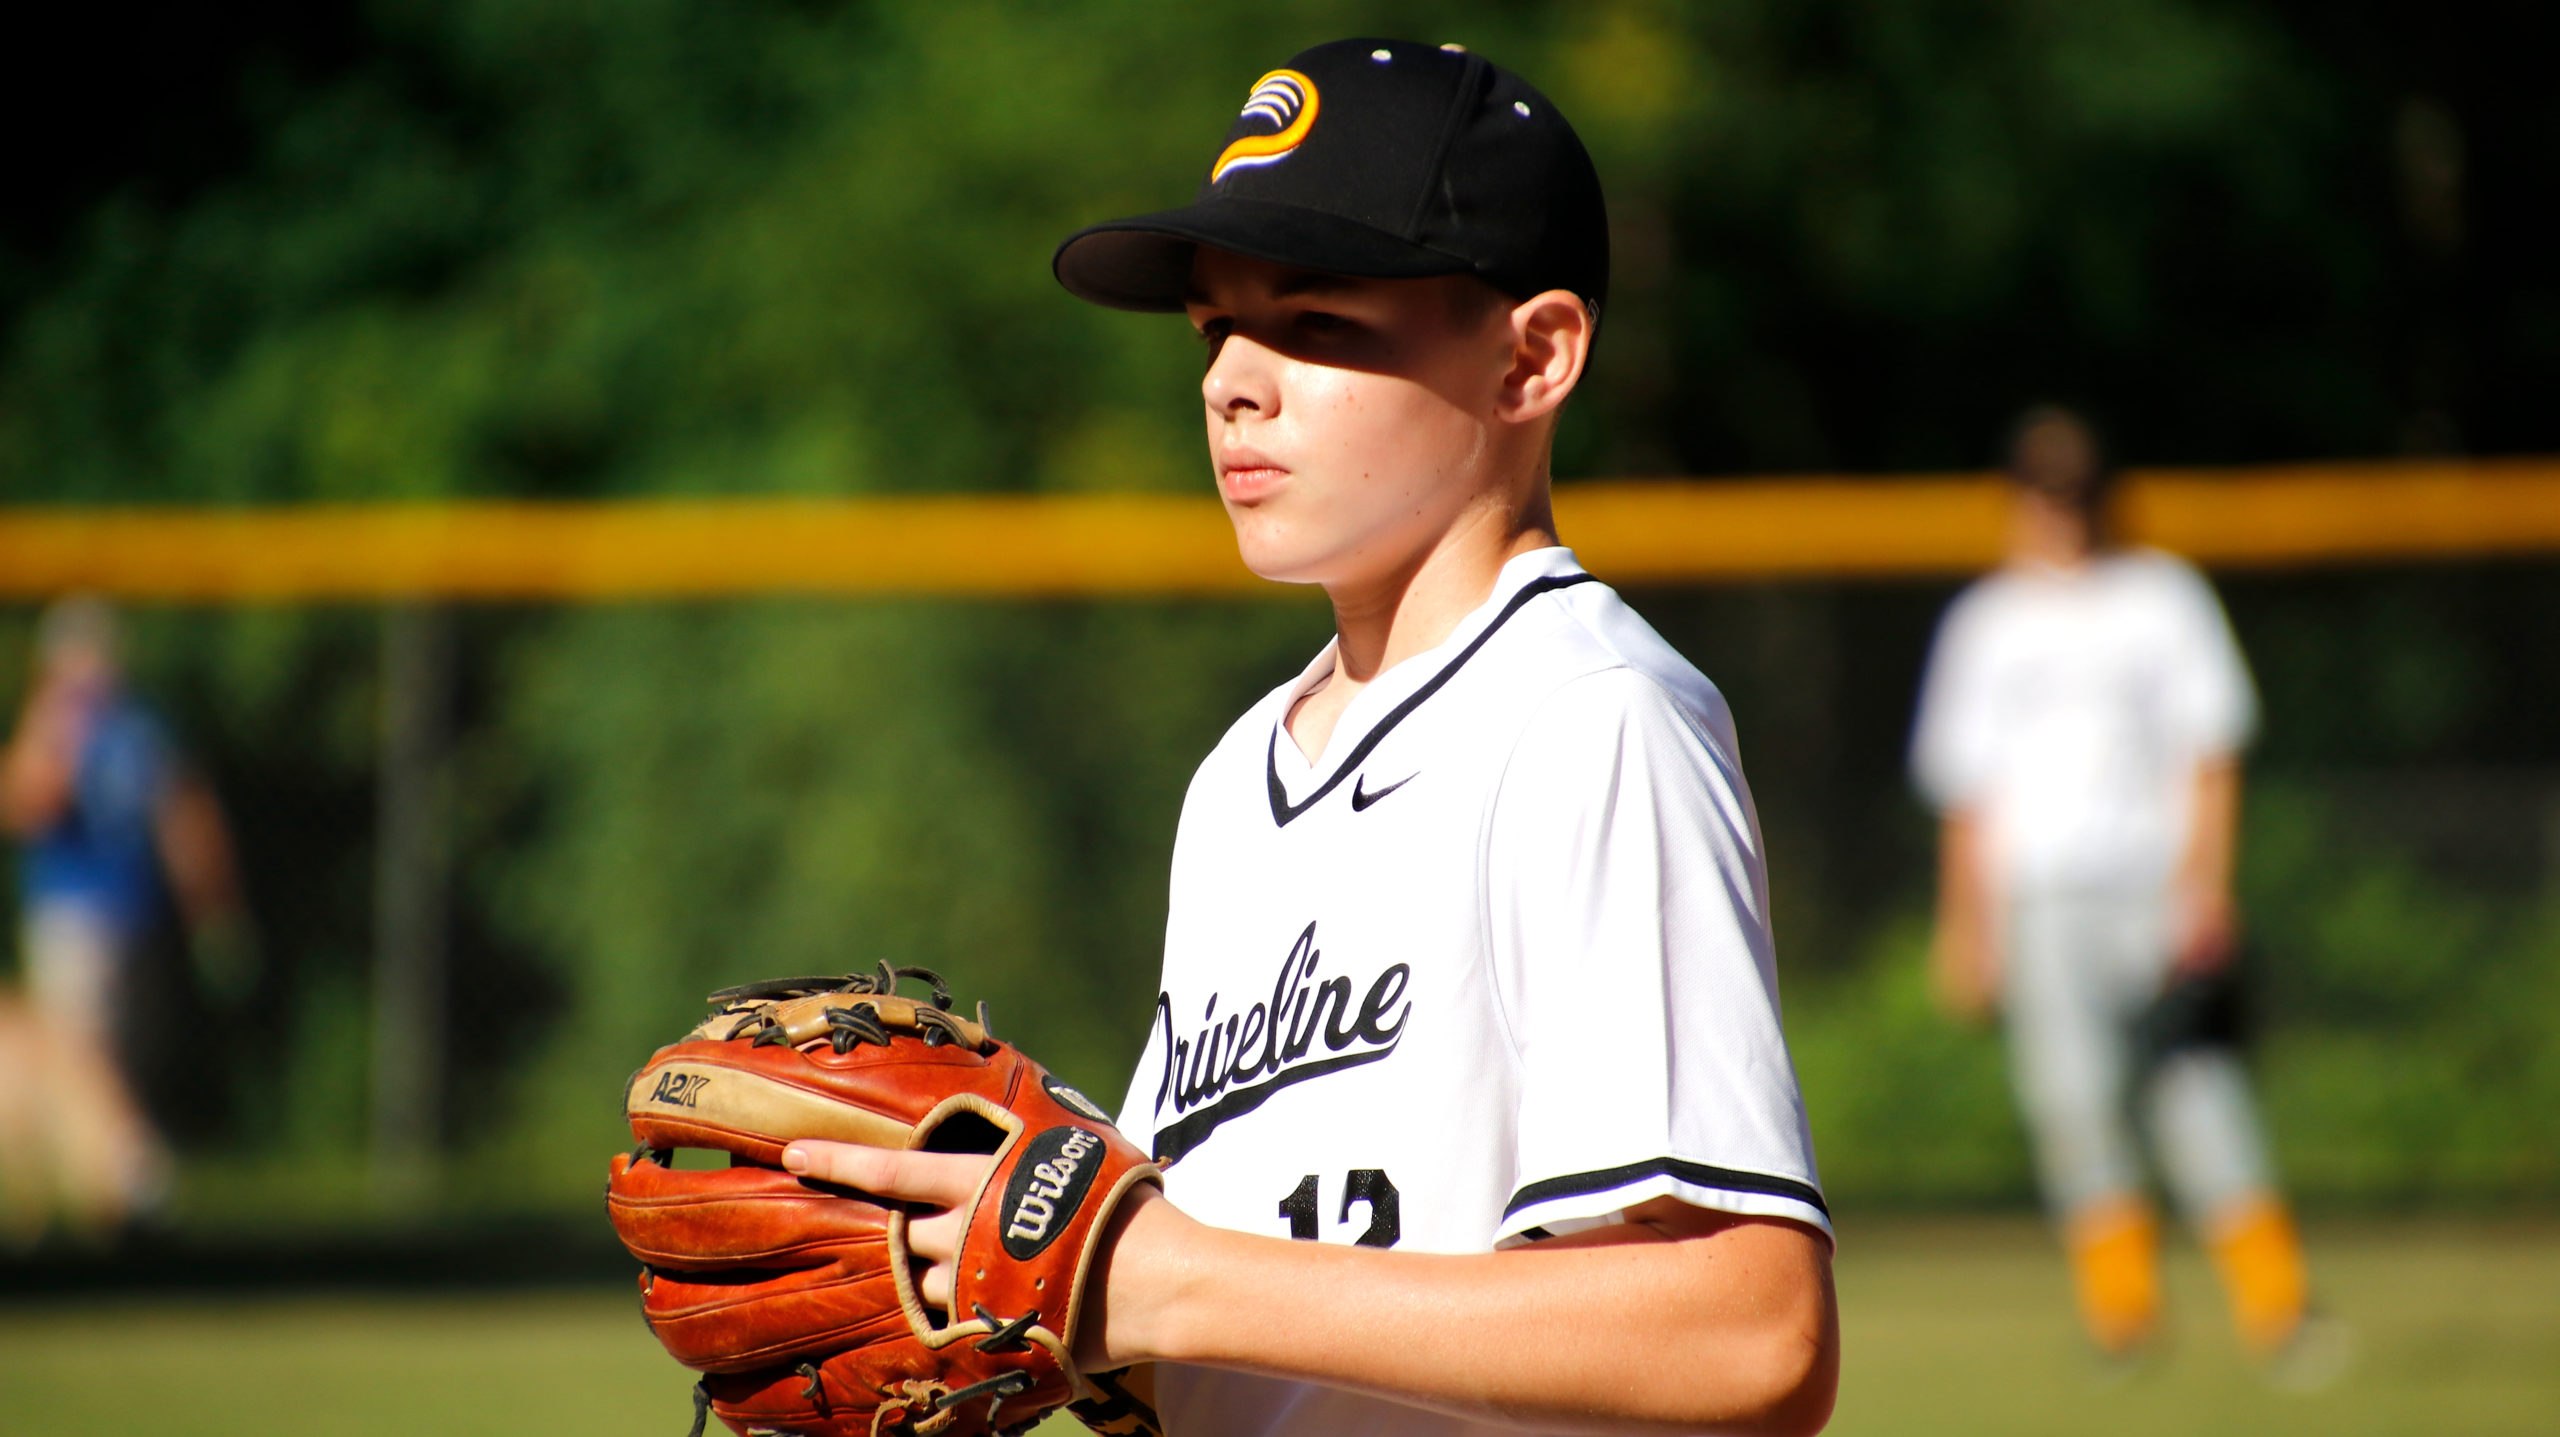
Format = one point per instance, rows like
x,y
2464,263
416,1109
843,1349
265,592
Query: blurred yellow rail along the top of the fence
x,y
1670,532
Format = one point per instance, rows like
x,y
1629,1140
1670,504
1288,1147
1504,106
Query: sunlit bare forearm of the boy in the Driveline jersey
x,y
1734,1331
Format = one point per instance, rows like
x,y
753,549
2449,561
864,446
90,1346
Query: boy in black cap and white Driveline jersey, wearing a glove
x,y
1466,1064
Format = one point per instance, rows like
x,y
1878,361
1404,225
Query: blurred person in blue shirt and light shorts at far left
x,y
109,824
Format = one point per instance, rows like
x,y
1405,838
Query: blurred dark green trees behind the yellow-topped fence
x,y
580,250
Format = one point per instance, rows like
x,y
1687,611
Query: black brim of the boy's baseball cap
x,y
1146,263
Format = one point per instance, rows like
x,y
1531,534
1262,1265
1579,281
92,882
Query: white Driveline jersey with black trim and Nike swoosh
x,y
1494,967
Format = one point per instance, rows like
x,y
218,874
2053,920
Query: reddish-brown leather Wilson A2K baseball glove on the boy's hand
x,y
797,1300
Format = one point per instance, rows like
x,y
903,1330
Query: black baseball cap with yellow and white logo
x,y
1384,160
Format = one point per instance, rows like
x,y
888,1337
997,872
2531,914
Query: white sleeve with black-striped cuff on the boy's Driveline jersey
x,y
1635,972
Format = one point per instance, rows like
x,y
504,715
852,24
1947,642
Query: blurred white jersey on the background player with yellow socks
x,y
2072,708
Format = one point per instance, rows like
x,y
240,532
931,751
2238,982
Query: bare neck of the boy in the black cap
x,y
1414,606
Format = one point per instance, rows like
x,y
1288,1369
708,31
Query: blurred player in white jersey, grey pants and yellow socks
x,y
2080,731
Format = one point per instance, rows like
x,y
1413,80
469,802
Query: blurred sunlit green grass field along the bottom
x,y
1949,1328
